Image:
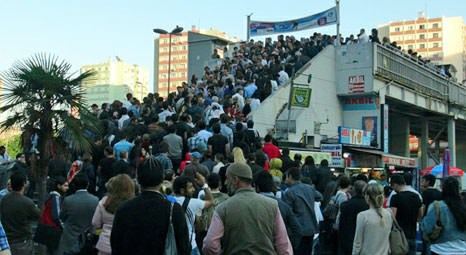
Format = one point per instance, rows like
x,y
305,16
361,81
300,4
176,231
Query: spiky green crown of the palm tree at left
x,y
40,92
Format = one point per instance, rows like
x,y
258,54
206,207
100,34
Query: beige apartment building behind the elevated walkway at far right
x,y
442,40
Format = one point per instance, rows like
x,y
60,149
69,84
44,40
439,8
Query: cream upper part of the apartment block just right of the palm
x,y
115,71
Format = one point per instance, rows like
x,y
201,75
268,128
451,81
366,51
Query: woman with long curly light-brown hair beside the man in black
x,y
120,188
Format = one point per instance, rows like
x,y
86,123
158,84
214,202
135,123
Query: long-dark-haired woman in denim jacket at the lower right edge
x,y
445,222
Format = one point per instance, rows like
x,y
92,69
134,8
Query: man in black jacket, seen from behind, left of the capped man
x,y
141,225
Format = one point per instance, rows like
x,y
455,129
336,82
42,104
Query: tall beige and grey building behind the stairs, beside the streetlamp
x,y
190,52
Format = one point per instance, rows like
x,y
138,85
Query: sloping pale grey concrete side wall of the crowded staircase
x,y
324,102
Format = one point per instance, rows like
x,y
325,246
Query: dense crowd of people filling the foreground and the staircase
x,y
190,174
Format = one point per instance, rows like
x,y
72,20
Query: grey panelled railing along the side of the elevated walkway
x,y
394,65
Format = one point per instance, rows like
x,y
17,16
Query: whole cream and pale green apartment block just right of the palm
x,y
114,77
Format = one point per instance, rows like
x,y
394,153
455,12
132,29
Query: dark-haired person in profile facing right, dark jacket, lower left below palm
x,y
50,227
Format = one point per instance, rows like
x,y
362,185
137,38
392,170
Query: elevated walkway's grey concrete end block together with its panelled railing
x,y
375,61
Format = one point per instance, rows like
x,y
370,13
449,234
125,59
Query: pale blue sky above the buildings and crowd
x,y
90,31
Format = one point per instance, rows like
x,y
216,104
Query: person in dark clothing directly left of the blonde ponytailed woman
x,y
347,217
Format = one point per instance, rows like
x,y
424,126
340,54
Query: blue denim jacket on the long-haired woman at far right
x,y
450,231
